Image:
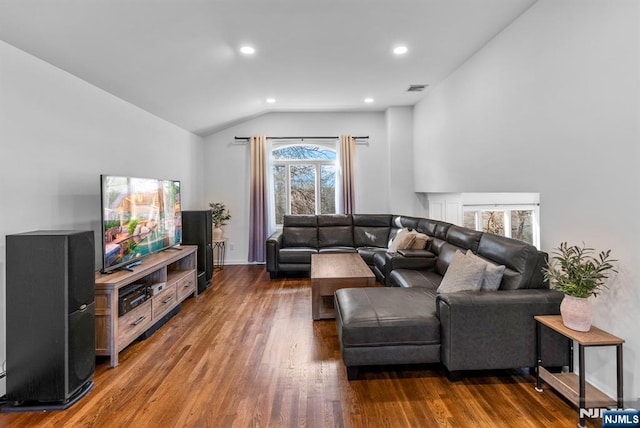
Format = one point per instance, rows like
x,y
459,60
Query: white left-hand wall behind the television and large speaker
x,y
57,135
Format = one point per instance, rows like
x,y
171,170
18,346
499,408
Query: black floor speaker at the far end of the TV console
x,y
196,230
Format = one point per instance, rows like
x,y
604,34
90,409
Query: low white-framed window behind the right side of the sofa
x,y
513,221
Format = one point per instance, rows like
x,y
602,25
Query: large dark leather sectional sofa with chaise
x,y
408,321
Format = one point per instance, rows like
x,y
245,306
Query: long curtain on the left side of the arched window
x,y
258,218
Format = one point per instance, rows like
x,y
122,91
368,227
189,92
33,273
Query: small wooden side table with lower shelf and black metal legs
x,y
573,386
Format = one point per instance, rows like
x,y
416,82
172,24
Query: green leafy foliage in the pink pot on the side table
x,y
579,271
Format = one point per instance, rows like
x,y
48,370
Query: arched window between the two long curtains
x,y
304,180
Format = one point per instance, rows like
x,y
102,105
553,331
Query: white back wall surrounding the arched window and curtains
x,y
227,163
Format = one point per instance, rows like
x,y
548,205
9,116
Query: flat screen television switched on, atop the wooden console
x,y
140,216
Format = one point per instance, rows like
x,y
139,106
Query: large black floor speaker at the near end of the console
x,y
50,318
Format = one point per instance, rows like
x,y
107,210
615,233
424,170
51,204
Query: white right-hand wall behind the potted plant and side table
x,y
551,105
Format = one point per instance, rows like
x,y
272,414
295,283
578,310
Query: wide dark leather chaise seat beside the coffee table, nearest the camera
x,y
382,316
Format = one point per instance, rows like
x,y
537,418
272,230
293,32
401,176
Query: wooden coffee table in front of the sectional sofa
x,y
330,272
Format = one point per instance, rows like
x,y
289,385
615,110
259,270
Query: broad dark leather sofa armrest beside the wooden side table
x,y
496,330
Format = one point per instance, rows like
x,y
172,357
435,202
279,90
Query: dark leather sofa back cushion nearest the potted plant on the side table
x,y
519,258
